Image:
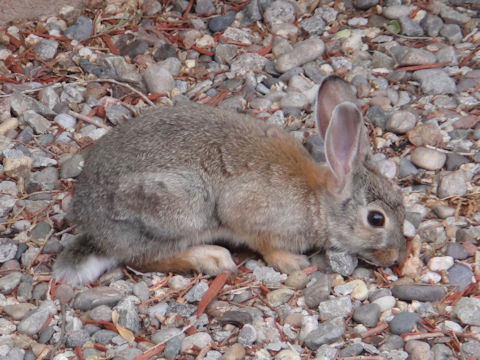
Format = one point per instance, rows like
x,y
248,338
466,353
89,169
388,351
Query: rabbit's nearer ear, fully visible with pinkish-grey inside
x,y
345,142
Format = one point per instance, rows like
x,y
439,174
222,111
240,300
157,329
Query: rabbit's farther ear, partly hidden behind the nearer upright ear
x,y
333,91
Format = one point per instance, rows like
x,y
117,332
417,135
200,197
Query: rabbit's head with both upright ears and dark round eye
x,y
365,211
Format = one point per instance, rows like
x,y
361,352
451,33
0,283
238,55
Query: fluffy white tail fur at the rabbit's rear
x,y
85,272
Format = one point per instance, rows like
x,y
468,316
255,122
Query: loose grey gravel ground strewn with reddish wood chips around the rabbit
x,y
68,78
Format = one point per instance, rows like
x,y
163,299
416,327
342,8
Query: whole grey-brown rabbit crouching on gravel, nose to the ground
x,y
160,191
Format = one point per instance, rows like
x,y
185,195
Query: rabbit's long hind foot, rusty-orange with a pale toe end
x,y
207,259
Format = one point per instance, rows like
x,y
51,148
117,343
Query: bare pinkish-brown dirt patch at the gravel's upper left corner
x,y
11,10
